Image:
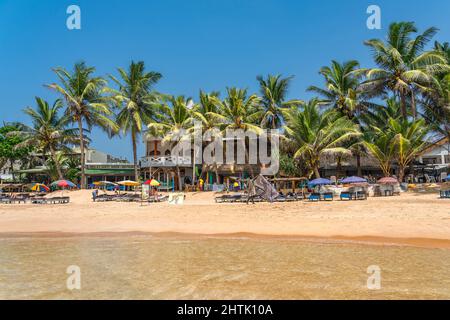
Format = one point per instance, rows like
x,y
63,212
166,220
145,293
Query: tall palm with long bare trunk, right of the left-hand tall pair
x,y
135,101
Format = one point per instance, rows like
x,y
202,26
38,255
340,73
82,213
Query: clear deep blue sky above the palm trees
x,y
195,44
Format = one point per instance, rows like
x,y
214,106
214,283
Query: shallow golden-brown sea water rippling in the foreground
x,y
151,267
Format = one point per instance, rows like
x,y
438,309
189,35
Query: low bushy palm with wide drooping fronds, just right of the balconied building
x,y
316,133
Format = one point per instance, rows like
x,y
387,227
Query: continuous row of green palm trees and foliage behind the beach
x,y
390,111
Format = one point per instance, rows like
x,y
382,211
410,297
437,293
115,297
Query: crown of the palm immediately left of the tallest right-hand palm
x,y
342,90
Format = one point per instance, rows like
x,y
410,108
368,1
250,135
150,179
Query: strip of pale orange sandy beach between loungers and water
x,y
413,219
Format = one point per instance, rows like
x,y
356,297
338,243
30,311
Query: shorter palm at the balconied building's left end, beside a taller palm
x,y
173,121
